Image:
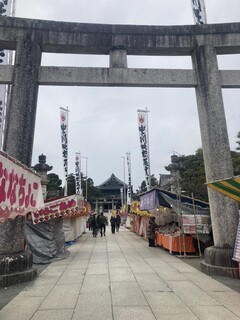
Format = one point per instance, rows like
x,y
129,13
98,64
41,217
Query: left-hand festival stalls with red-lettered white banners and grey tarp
x,y
49,224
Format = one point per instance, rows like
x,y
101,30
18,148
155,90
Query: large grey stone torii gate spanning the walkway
x,y
30,38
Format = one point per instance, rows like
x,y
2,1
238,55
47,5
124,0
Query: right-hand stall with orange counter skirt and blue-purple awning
x,y
183,221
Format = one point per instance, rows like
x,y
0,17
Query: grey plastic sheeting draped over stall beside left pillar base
x,y
46,241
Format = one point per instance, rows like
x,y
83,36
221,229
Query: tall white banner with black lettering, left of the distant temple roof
x,y
64,141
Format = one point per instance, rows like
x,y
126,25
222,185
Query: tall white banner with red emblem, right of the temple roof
x,y
144,144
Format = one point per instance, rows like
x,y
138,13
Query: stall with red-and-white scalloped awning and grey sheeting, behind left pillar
x,y
61,220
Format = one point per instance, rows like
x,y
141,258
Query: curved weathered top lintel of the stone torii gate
x,y
66,37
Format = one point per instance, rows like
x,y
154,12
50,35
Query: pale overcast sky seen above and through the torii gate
x,y
103,121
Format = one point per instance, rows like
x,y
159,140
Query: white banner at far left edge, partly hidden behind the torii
x,y
6,9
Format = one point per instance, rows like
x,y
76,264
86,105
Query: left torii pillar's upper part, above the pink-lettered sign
x,y
21,113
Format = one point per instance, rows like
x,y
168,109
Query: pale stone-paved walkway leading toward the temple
x,y
118,277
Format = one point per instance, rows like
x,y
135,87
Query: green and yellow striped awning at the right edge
x,y
229,187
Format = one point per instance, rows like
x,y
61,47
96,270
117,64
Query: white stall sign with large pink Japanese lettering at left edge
x,y
20,189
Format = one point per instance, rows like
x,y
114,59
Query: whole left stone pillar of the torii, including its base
x,y
15,263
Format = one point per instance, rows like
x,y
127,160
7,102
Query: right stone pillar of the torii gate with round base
x,y
217,160
